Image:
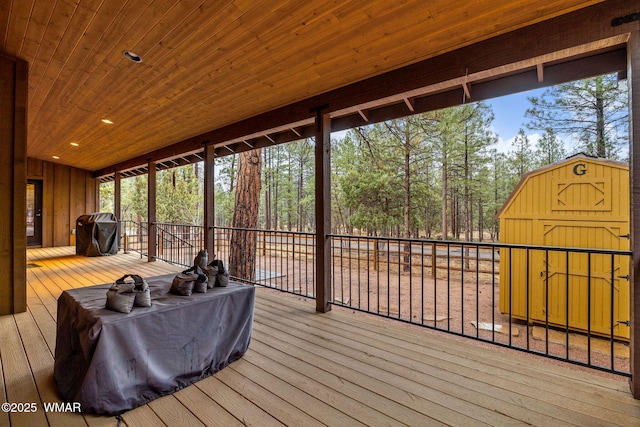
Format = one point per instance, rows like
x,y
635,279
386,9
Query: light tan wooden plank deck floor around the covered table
x,y
306,369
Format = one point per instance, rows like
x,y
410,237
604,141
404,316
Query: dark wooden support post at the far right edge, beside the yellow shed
x,y
633,74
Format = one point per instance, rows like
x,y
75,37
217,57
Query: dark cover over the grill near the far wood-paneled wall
x,y
97,234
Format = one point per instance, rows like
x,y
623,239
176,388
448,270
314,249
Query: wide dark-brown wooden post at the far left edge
x,y
13,182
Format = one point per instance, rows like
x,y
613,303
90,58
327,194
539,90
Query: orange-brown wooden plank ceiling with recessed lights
x,y
208,64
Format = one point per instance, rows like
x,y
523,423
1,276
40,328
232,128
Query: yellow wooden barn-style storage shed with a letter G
x,y
580,202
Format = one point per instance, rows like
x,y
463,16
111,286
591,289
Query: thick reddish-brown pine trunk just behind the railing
x,y
242,250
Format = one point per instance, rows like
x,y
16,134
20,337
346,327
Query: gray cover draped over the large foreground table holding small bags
x,y
111,362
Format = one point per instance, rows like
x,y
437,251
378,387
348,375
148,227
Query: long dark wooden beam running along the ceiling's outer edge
x,y
504,54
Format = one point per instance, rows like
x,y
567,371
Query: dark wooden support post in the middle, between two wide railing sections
x,y
323,210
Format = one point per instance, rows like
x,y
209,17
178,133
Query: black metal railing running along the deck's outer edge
x,y
570,304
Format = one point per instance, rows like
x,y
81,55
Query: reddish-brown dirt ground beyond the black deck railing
x,y
455,303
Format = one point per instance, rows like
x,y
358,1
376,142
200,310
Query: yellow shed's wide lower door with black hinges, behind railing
x,y
583,278
